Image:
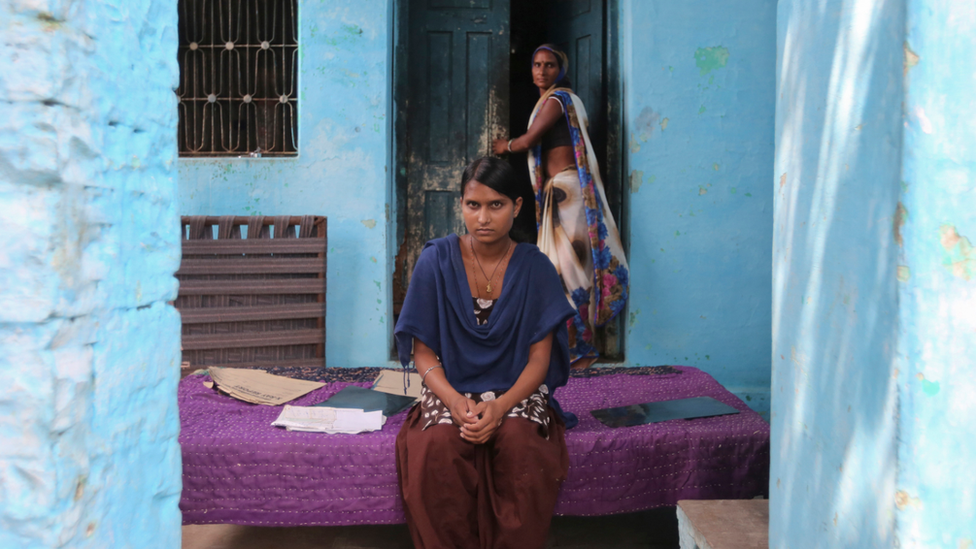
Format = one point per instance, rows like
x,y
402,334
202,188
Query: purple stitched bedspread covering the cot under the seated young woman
x,y
238,469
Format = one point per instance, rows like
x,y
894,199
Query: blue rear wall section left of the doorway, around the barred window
x,y
342,170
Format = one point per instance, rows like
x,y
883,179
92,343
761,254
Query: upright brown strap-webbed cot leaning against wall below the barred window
x,y
252,291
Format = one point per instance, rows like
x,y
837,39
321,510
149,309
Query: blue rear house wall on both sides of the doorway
x,y
699,116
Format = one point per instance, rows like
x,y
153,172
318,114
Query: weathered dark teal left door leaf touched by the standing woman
x,y
457,76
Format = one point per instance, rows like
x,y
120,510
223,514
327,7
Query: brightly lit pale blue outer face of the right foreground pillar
x,y
936,497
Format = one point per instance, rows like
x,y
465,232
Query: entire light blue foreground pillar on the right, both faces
x,y
874,276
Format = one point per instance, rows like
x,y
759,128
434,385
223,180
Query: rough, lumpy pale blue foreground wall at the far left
x,y
88,245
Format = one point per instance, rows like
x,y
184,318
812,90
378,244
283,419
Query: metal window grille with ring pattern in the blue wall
x,y
238,78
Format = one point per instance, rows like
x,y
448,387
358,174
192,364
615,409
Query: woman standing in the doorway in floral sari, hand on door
x,y
576,229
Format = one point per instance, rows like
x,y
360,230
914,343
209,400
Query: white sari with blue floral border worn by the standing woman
x,y
577,231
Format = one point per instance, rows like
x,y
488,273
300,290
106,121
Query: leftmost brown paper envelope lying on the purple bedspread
x,y
260,387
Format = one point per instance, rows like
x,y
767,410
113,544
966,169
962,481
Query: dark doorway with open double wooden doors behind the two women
x,y
462,77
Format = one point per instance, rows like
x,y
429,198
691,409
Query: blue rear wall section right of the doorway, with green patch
x,y
699,100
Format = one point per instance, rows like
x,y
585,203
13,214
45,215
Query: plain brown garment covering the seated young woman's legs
x,y
501,494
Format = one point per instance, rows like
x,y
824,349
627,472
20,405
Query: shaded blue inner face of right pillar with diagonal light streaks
x,y
835,296
